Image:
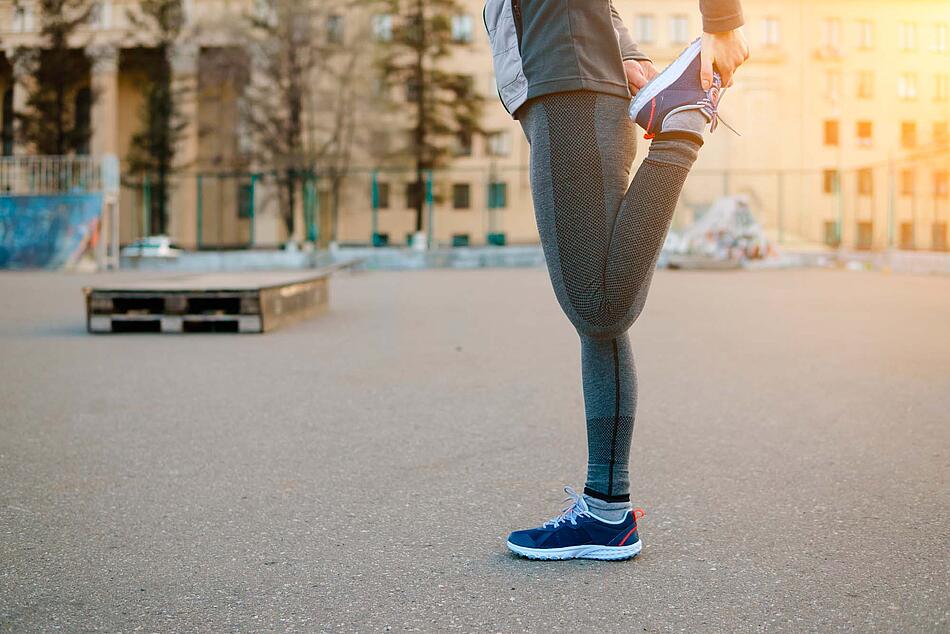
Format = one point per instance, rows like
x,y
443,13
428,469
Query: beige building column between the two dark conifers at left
x,y
105,108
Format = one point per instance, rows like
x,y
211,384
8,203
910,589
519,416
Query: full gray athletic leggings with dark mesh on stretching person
x,y
601,241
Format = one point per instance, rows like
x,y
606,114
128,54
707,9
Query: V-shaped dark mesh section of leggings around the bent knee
x,y
605,270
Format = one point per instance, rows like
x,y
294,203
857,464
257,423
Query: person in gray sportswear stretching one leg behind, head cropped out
x,y
566,71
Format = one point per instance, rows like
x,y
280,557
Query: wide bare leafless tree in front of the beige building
x,y
301,100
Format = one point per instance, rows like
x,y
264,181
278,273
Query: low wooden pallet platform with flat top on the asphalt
x,y
225,302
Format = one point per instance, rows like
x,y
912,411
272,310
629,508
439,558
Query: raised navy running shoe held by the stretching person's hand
x,y
675,89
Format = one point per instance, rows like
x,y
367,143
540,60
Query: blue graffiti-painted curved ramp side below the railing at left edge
x,y
46,231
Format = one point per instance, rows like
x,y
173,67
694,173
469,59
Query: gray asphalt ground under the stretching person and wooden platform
x,y
359,472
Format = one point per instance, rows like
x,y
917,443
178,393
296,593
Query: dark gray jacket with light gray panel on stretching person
x,y
541,47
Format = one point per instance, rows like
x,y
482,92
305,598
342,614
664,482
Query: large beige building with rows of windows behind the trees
x,y
843,111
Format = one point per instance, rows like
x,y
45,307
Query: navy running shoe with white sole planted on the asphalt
x,y
579,534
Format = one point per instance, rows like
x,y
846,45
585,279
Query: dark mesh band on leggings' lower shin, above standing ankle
x,y
608,454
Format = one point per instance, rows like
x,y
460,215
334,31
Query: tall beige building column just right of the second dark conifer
x,y
182,220
